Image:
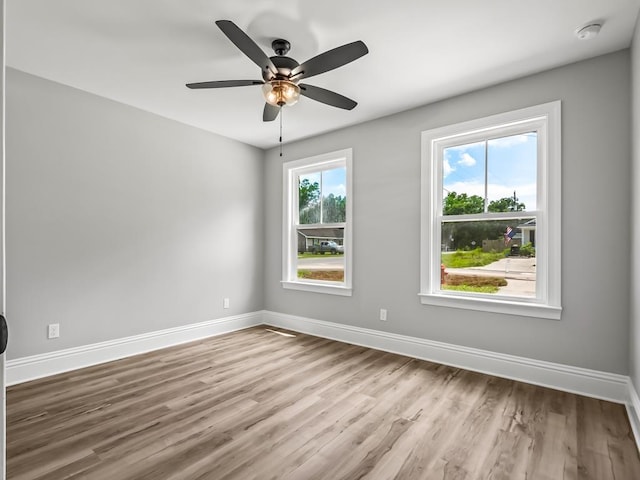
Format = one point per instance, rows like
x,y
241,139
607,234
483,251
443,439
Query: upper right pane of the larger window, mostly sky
x,y
512,170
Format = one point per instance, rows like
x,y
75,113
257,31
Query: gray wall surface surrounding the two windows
x,y
596,191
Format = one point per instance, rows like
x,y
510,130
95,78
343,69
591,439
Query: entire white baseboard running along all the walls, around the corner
x,y
592,383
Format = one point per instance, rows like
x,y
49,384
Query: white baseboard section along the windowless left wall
x,y
43,365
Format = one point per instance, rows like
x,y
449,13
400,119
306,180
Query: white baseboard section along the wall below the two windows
x,y
592,383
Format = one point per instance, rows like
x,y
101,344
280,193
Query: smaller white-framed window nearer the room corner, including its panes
x,y
317,217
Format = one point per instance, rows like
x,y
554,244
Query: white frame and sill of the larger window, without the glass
x,y
545,120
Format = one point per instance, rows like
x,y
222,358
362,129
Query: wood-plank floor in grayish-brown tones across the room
x,y
258,405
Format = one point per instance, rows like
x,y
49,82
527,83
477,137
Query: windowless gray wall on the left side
x,y
120,222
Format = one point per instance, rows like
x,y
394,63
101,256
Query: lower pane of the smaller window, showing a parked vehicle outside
x,y
321,254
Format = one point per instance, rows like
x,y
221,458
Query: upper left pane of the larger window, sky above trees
x,y
463,179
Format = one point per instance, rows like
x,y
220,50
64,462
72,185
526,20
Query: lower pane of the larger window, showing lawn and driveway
x,y
490,257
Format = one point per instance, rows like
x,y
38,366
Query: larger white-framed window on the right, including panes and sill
x,y
491,214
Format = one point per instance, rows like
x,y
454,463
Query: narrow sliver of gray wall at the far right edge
x,y
635,219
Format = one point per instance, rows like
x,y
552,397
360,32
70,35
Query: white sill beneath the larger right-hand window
x,y
493,305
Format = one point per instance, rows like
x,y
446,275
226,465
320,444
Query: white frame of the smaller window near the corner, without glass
x,y
291,170
